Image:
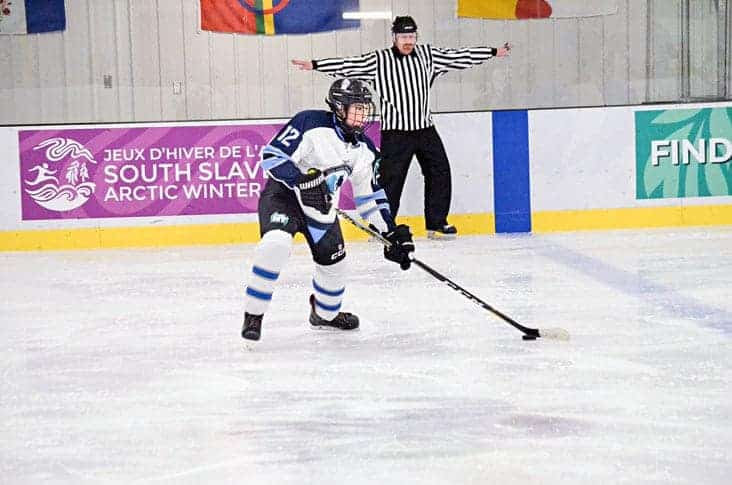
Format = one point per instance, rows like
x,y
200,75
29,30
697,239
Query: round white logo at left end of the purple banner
x,y
60,181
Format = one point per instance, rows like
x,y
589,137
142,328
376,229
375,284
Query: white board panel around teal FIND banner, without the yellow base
x,y
586,159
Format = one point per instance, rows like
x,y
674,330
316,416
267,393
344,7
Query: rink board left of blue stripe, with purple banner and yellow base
x,y
132,206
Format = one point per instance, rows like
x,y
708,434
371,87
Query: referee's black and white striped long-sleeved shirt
x,y
403,82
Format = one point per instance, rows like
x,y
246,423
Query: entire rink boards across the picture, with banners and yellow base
x,y
513,171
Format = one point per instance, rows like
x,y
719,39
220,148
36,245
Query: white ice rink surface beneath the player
x,y
127,366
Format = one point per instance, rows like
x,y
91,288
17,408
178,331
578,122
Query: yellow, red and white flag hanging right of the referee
x,y
535,9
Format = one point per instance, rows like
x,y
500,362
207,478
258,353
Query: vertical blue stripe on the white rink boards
x,y
511,188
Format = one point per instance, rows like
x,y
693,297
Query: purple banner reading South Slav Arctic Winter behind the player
x,y
139,172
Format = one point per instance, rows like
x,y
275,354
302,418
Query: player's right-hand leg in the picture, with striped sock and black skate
x,y
329,281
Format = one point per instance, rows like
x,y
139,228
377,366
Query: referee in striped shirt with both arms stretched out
x,y
403,75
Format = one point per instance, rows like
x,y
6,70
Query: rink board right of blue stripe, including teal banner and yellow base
x,y
587,168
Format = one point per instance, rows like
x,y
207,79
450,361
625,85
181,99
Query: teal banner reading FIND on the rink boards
x,y
683,153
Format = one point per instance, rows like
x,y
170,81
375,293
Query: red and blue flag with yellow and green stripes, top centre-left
x,y
272,17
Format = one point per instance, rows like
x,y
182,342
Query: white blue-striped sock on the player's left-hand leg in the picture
x,y
270,257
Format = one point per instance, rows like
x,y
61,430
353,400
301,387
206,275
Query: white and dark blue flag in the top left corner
x,y
31,16
